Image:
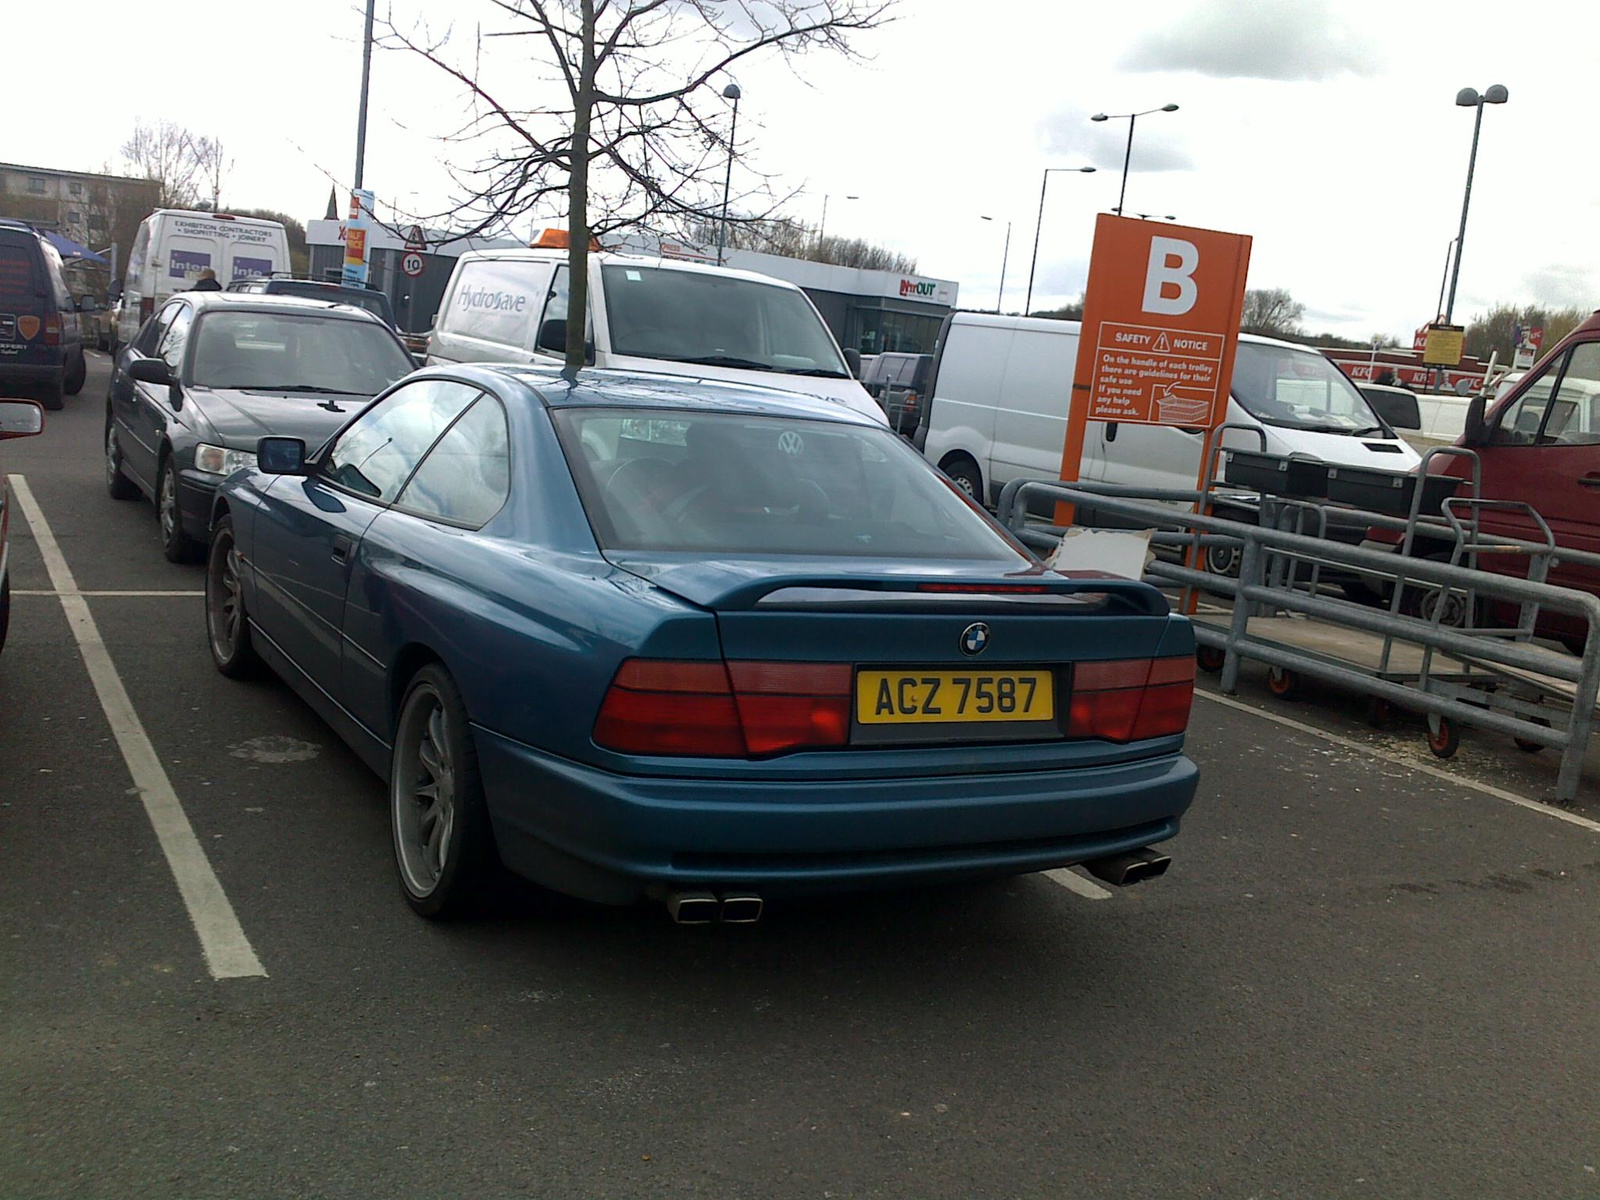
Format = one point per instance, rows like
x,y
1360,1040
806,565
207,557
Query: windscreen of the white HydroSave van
x,y
716,321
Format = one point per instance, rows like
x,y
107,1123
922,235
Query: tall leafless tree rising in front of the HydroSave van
x,y
622,114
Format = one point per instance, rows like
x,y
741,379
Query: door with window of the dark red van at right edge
x,y
1545,450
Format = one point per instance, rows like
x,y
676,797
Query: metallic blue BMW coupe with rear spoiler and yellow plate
x,y
636,636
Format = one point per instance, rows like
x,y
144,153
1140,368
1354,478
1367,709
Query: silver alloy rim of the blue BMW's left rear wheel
x,y
423,791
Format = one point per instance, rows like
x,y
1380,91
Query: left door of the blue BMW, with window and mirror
x,y
308,529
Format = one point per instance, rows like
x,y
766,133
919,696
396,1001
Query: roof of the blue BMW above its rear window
x,y
601,388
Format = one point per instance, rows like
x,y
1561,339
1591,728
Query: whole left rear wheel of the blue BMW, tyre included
x,y
438,814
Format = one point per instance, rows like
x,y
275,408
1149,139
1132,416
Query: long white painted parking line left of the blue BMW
x,y
223,942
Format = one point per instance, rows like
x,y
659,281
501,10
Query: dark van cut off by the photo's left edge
x,y
41,346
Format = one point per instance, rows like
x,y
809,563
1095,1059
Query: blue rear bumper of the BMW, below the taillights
x,y
612,838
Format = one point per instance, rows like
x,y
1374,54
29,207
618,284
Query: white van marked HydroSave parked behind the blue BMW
x,y
510,306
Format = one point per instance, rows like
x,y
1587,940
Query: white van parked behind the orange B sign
x,y
999,412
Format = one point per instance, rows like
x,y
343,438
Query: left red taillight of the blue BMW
x,y
724,710
